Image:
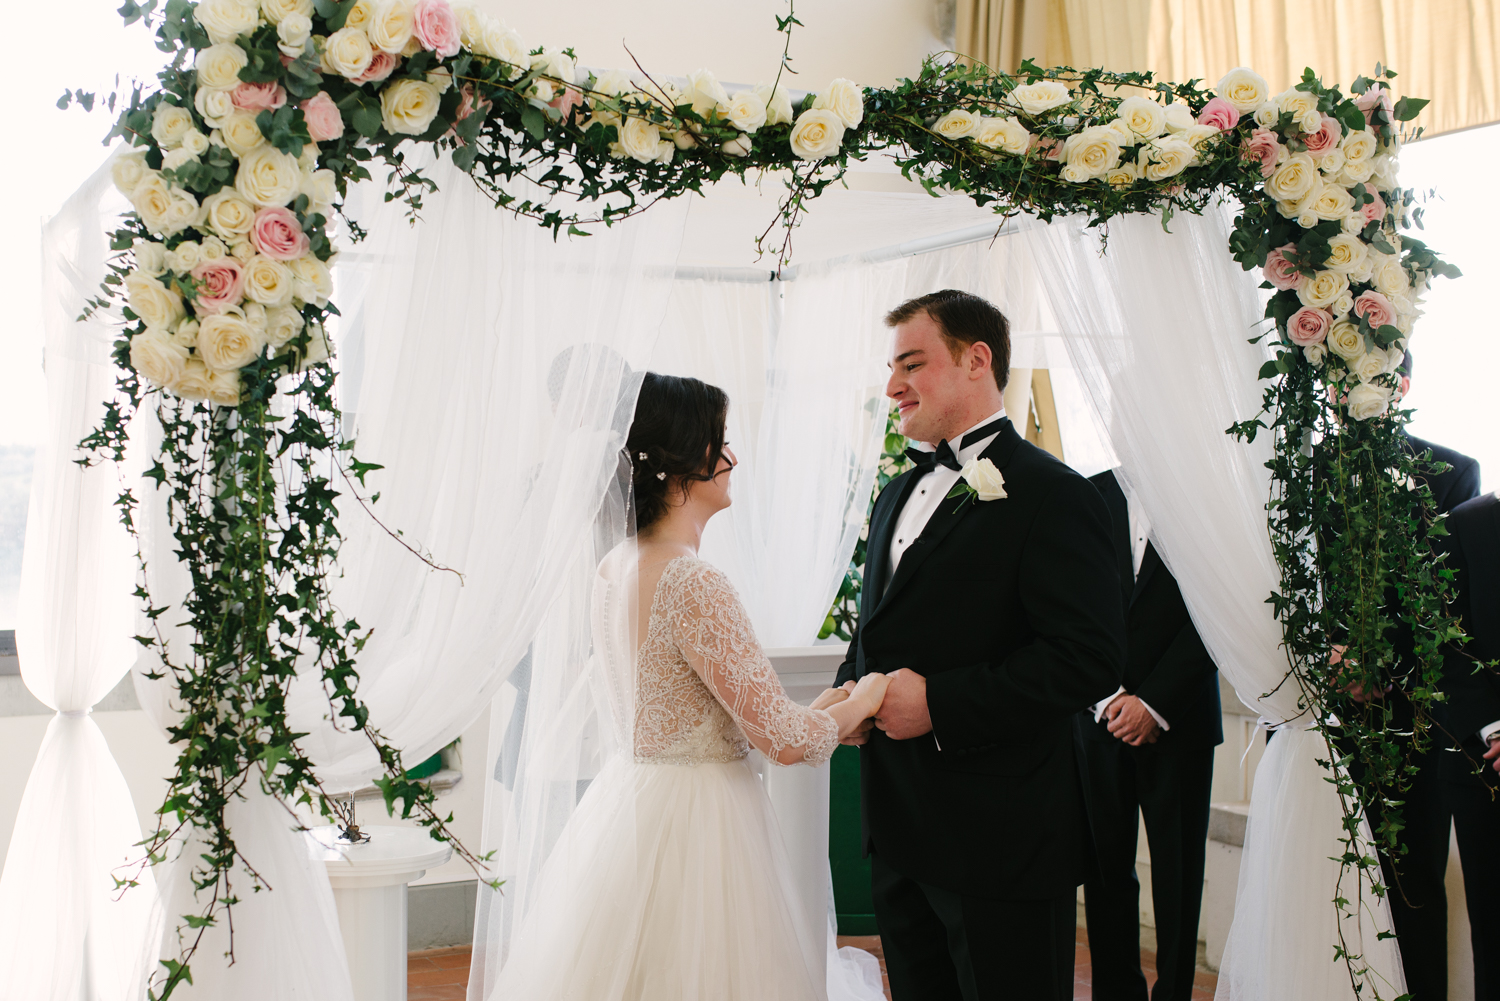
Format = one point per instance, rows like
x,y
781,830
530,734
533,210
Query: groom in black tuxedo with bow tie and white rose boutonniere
x,y
997,622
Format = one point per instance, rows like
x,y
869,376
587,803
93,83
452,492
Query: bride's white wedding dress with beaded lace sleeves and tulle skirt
x,y
670,882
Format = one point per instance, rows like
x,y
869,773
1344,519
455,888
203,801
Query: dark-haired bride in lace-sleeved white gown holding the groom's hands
x,y
670,882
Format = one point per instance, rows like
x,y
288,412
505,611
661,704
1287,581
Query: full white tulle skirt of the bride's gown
x,y
671,883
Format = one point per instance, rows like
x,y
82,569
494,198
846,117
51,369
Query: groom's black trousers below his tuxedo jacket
x,y
944,946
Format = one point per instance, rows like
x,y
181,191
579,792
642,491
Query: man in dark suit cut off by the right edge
x,y
1472,715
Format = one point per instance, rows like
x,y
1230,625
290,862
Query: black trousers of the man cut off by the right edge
x,y
1475,807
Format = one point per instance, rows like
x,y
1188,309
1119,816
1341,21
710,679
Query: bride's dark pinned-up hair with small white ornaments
x,y
679,433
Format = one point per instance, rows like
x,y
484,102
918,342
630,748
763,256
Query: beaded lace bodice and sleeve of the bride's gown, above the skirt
x,y
704,685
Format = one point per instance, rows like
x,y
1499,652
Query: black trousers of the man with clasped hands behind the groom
x,y
1169,787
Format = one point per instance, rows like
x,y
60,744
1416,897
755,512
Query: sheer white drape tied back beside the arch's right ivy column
x,y
1159,329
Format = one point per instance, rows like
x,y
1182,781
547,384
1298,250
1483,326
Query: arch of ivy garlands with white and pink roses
x,y
269,112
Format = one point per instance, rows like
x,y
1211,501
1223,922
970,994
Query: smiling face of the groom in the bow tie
x,y
929,388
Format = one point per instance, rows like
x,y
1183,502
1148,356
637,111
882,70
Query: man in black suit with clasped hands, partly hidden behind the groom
x,y
1148,751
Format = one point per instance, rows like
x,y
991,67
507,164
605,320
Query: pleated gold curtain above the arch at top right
x,y
1444,50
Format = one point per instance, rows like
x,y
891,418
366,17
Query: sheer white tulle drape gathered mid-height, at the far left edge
x,y
65,930
